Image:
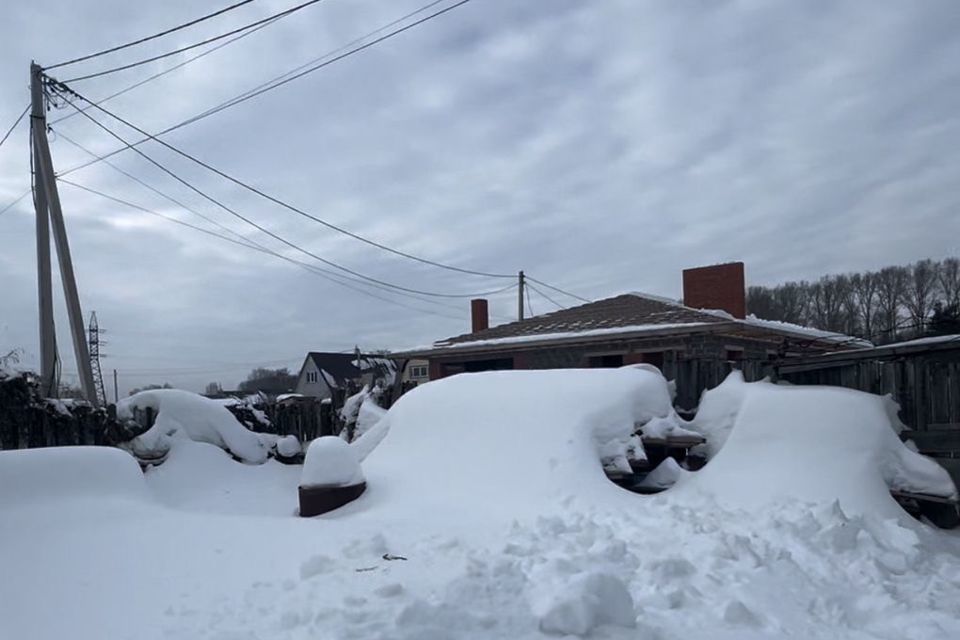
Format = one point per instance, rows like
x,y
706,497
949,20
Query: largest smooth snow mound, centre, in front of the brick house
x,y
529,438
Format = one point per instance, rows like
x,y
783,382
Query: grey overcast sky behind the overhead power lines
x,y
600,146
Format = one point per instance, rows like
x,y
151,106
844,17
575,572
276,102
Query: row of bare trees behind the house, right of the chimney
x,y
893,303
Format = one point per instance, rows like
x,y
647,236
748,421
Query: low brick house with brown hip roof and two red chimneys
x,y
696,343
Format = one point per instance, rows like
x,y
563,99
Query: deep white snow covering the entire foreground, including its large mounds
x,y
487,515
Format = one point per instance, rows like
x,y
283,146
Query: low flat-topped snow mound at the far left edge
x,y
32,476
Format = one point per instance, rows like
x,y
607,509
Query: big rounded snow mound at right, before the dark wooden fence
x,y
815,445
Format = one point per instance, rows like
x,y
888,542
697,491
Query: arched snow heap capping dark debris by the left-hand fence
x,y
185,414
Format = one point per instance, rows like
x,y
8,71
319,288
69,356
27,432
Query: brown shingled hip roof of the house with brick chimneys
x,y
626,310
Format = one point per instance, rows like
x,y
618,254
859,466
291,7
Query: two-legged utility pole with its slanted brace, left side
x,y
50,216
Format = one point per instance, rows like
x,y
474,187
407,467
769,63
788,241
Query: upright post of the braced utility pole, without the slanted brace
x,y
48,336
